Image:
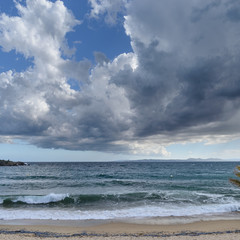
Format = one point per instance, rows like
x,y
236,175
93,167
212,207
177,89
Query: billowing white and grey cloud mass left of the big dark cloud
x,y
39,104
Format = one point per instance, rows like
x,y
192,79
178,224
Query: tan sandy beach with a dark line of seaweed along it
x,y
209,230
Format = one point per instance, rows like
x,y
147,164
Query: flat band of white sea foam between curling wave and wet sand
x,y
137,212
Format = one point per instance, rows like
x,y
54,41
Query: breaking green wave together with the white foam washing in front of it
x,y
115,206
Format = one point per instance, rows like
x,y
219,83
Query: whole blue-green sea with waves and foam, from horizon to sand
x,y
116,191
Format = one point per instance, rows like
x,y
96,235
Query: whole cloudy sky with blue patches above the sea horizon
x,y
101,80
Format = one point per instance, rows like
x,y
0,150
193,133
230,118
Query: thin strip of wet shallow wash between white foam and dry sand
x,y
160,220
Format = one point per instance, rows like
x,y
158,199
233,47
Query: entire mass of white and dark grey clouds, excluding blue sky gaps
x,y
180,83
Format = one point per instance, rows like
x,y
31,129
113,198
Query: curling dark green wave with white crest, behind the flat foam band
x,y
137,198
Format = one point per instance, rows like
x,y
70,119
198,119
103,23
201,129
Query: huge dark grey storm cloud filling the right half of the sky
x,y
186,78
